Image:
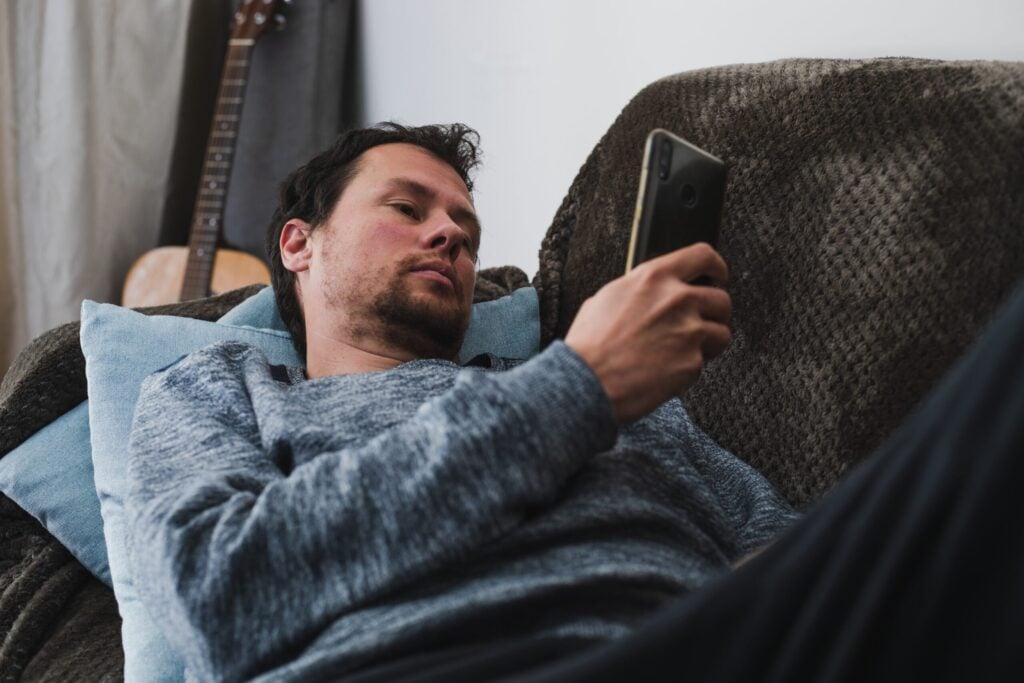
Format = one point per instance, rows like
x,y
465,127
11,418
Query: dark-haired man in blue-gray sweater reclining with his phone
x,y
391,516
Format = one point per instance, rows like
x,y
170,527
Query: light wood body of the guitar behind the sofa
x,y
158,276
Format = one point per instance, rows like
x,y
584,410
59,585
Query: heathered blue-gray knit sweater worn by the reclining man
x,y
295,531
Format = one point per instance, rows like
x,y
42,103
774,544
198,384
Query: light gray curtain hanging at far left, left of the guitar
x,y
90,95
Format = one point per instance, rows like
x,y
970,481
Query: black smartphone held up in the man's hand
x,y
682,189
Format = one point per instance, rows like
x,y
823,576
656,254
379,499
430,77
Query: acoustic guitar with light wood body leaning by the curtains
x,y
168,275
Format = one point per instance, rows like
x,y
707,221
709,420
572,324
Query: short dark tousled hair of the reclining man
x,y
311,193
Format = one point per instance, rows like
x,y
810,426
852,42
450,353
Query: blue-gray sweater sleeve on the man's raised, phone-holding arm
x,y
242,565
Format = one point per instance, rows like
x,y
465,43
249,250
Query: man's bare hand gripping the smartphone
x,y
648,334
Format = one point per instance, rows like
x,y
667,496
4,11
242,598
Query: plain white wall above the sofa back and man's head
x,y
542,80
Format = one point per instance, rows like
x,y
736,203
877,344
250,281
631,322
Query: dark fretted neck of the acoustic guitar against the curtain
x,y
208,216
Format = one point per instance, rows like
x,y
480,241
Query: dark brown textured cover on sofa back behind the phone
x,y
874,222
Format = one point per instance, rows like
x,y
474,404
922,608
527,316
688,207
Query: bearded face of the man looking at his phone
x,y
397,260
